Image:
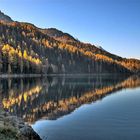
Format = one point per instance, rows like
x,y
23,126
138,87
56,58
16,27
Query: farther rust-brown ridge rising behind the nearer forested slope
x,y
131,64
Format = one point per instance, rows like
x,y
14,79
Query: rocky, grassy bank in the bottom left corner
x,y
14,128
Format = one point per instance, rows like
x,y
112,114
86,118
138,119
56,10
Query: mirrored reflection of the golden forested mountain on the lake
x,y
53,97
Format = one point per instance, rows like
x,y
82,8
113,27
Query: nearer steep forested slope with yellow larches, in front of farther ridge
x,y
53,56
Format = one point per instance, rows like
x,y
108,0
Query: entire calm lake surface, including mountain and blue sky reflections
x,y
76,107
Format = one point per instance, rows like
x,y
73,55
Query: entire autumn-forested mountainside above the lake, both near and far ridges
x,y
25,48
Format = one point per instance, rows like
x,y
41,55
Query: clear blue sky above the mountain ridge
x,y
112,24
